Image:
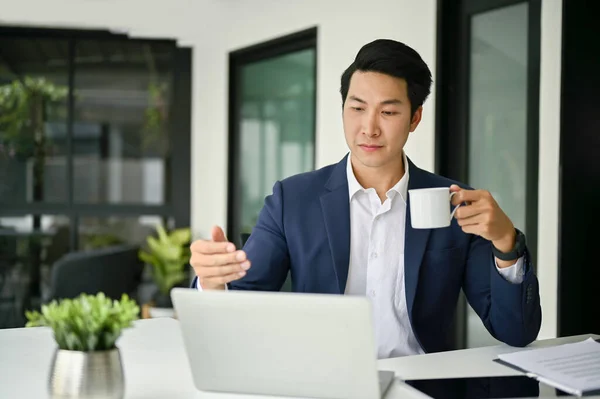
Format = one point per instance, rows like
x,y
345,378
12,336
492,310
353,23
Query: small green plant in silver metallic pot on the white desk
x,y
87,362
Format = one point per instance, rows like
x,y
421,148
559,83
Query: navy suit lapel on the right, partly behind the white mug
x,y
415,240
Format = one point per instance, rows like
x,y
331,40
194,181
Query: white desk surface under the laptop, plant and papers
x,y
156,365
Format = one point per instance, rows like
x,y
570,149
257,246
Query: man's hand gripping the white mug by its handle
x,y
482,216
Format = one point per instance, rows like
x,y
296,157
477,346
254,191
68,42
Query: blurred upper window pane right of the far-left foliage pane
x,y
122,109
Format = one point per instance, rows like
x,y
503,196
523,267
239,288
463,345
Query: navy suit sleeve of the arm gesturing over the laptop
x,y
267,248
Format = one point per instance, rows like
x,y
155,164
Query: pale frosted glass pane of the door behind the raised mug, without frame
x,y
498,120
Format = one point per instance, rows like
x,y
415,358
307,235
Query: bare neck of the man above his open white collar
x,y
382,178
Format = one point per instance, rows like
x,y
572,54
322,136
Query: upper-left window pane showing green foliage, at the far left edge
x,y
34,93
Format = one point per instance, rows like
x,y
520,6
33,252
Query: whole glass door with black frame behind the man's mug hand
x,y
487,134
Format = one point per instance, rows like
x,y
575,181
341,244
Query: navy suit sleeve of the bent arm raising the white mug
x,y
510,312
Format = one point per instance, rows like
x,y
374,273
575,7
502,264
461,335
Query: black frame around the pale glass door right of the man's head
x,y
452,109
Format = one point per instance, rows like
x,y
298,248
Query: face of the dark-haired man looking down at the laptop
x,y
377,119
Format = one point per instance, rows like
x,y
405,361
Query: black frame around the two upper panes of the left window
x,y
178,200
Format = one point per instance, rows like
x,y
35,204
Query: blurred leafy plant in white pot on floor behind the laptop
x,y
168,255
